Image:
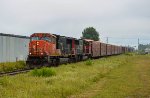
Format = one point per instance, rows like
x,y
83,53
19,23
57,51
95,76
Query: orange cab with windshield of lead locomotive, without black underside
x,y
42,44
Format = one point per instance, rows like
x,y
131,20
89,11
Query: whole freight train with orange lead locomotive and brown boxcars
x,y
47,49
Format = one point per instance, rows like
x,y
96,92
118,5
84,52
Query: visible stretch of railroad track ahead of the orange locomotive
x,y
14,72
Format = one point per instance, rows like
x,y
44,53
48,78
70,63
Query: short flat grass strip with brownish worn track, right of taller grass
x,y
131,80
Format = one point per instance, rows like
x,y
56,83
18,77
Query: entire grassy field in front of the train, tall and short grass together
x,y
112,77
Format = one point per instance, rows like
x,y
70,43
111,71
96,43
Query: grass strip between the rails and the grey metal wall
x,y
11,66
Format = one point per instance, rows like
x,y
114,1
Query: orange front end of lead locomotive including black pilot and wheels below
x,y
42,47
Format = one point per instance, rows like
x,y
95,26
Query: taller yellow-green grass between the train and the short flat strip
x,y
63,81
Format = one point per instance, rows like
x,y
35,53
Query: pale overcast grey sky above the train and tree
x,y
111,18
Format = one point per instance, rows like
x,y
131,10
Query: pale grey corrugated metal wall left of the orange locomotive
x,y
13,48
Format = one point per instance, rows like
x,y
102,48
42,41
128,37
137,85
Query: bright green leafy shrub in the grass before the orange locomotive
x,y
44,72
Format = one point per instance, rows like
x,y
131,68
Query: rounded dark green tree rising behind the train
x,y
90,33
